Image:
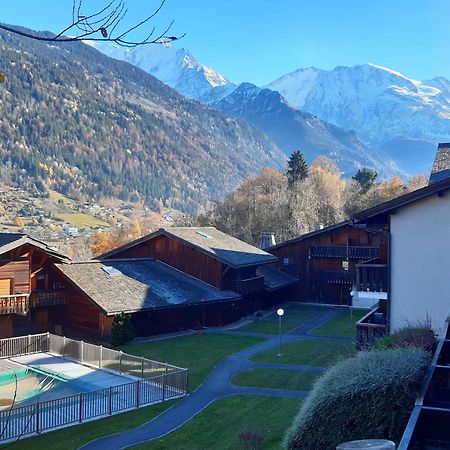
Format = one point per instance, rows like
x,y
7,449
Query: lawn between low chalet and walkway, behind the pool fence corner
x,y
199,353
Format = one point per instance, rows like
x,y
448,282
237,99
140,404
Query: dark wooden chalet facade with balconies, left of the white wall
x,y
325,262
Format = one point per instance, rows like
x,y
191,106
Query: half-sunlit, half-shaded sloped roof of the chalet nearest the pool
x,y
141,284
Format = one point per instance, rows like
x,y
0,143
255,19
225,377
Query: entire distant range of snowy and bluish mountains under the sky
x,y
395,121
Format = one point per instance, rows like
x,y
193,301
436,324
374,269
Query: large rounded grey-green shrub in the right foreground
x,y
369,396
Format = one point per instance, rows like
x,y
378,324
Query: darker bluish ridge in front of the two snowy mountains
x,y
293,129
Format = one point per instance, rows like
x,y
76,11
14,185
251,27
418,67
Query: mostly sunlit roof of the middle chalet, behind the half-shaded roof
x,y
209,240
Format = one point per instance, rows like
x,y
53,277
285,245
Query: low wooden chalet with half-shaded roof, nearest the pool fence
x,y
158,297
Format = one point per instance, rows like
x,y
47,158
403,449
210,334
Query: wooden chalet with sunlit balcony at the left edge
x,y
32,297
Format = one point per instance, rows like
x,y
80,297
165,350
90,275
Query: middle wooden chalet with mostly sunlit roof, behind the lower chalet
x,y
213,257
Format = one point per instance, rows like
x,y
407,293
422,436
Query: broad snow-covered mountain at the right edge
x,y
385,108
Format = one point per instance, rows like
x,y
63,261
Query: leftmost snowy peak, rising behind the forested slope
x,y
174,67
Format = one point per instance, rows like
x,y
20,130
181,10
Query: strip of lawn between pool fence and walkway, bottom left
x,y
74,437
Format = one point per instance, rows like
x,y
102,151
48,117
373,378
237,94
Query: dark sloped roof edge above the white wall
x,y
380,211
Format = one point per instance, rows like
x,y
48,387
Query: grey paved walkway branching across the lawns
x,y
218,385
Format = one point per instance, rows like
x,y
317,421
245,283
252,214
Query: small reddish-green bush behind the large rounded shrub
x,y
419,336
